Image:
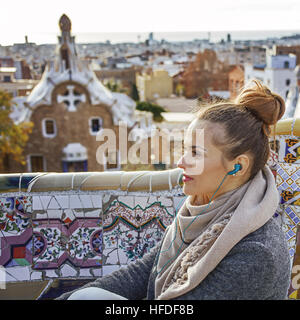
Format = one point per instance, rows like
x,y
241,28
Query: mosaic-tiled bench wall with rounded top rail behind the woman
x,y
59,231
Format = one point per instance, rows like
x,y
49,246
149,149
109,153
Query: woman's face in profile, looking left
x,y
202,161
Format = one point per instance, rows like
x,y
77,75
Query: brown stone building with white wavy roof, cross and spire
x,y
68,107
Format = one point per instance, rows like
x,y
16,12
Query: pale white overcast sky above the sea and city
x,y
38,19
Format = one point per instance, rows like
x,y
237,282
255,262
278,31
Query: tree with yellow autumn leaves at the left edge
x,y
13,137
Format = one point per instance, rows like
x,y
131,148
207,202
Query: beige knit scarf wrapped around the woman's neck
x,y
182,266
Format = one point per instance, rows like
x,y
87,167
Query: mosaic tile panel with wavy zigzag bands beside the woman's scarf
x,y
130,232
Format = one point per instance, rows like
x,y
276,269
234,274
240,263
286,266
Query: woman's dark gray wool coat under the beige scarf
x,y
256,268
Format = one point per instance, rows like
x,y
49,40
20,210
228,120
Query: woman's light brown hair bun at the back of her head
x,y
267,106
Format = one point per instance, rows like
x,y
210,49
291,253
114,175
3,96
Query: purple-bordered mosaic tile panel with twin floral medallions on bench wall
x,y
79,242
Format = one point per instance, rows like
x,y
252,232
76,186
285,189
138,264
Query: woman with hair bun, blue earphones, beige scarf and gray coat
x,y
224,242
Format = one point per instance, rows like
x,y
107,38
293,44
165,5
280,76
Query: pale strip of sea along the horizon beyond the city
x,y
136,37
